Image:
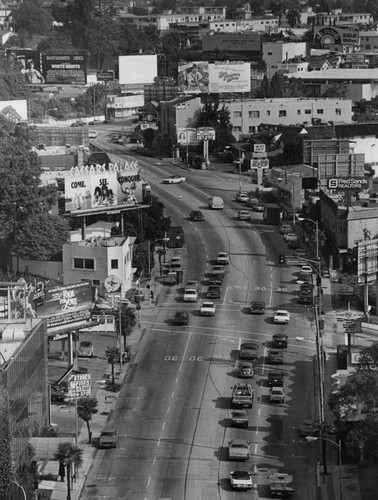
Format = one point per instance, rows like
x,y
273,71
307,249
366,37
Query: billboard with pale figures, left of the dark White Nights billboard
x,y
28,62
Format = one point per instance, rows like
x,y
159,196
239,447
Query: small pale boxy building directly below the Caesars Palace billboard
x,y
95,259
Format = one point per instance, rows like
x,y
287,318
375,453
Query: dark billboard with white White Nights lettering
x,y
66,69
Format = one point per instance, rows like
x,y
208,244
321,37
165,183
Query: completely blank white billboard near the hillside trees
x,y
137,69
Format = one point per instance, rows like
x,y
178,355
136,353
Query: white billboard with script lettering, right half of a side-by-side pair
x,y
230,76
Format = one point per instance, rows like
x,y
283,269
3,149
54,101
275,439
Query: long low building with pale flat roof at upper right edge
x,y
359,83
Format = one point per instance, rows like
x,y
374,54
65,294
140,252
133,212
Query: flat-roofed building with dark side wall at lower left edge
x,y
23,375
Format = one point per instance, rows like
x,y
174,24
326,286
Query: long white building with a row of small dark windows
x,y
247,115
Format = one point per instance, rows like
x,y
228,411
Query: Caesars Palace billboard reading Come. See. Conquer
x,y
99,186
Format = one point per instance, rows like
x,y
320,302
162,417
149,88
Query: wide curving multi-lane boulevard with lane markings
x,y
173,412
